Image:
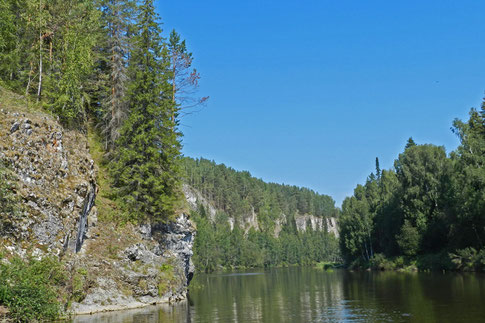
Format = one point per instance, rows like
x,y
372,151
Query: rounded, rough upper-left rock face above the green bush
x,y
55,181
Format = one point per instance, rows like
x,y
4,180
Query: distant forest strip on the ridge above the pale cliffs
x,y
236,192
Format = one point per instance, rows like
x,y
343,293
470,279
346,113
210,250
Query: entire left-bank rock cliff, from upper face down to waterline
x,y
53,177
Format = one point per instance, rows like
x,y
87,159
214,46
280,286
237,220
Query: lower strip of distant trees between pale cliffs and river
x,y
217,247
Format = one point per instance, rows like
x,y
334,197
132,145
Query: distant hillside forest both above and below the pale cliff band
x,y
236,194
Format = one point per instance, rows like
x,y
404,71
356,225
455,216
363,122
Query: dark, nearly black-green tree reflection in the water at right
x,y
430,297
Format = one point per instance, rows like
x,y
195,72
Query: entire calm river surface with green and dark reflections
x,y
313,295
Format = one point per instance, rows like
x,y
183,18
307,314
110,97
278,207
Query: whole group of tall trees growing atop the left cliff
x,y
107,63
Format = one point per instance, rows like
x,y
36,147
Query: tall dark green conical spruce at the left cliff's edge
x,y
146,168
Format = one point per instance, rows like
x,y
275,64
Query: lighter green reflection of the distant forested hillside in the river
x,y
282,295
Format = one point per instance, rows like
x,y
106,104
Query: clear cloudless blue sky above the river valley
x,y
309,93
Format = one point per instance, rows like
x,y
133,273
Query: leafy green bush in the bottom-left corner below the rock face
x,y
29,288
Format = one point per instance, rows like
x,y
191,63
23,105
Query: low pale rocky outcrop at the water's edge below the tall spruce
x,y
152,264
